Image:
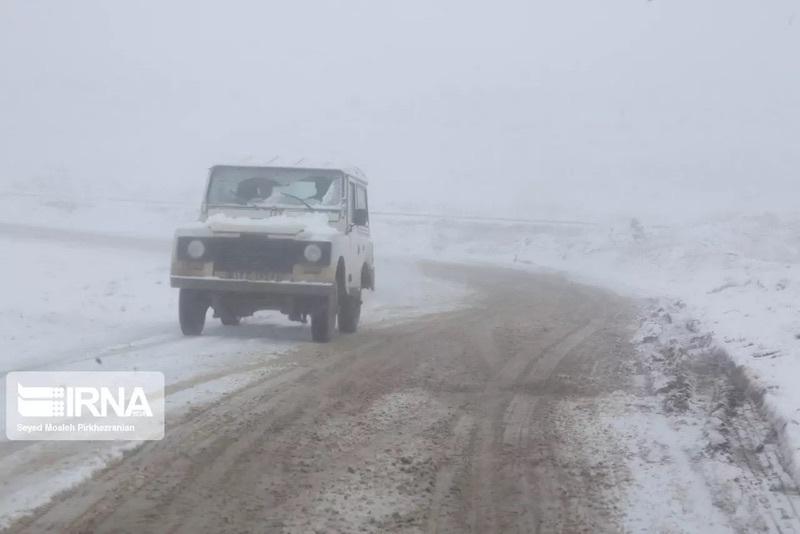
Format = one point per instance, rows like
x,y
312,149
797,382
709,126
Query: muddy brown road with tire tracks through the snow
x,y
503,416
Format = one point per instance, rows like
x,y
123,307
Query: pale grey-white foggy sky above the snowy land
x,y
569,108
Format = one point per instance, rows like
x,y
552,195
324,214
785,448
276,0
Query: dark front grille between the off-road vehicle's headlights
x,y
252,254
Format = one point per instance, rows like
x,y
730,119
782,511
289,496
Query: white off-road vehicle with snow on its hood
x,y
277,238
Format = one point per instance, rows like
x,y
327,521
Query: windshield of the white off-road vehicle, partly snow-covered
x,y
271,187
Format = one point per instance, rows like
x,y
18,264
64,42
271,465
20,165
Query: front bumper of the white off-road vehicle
x,y
204,283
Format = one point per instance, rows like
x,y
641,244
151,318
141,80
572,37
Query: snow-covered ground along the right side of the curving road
x,y
734,280
